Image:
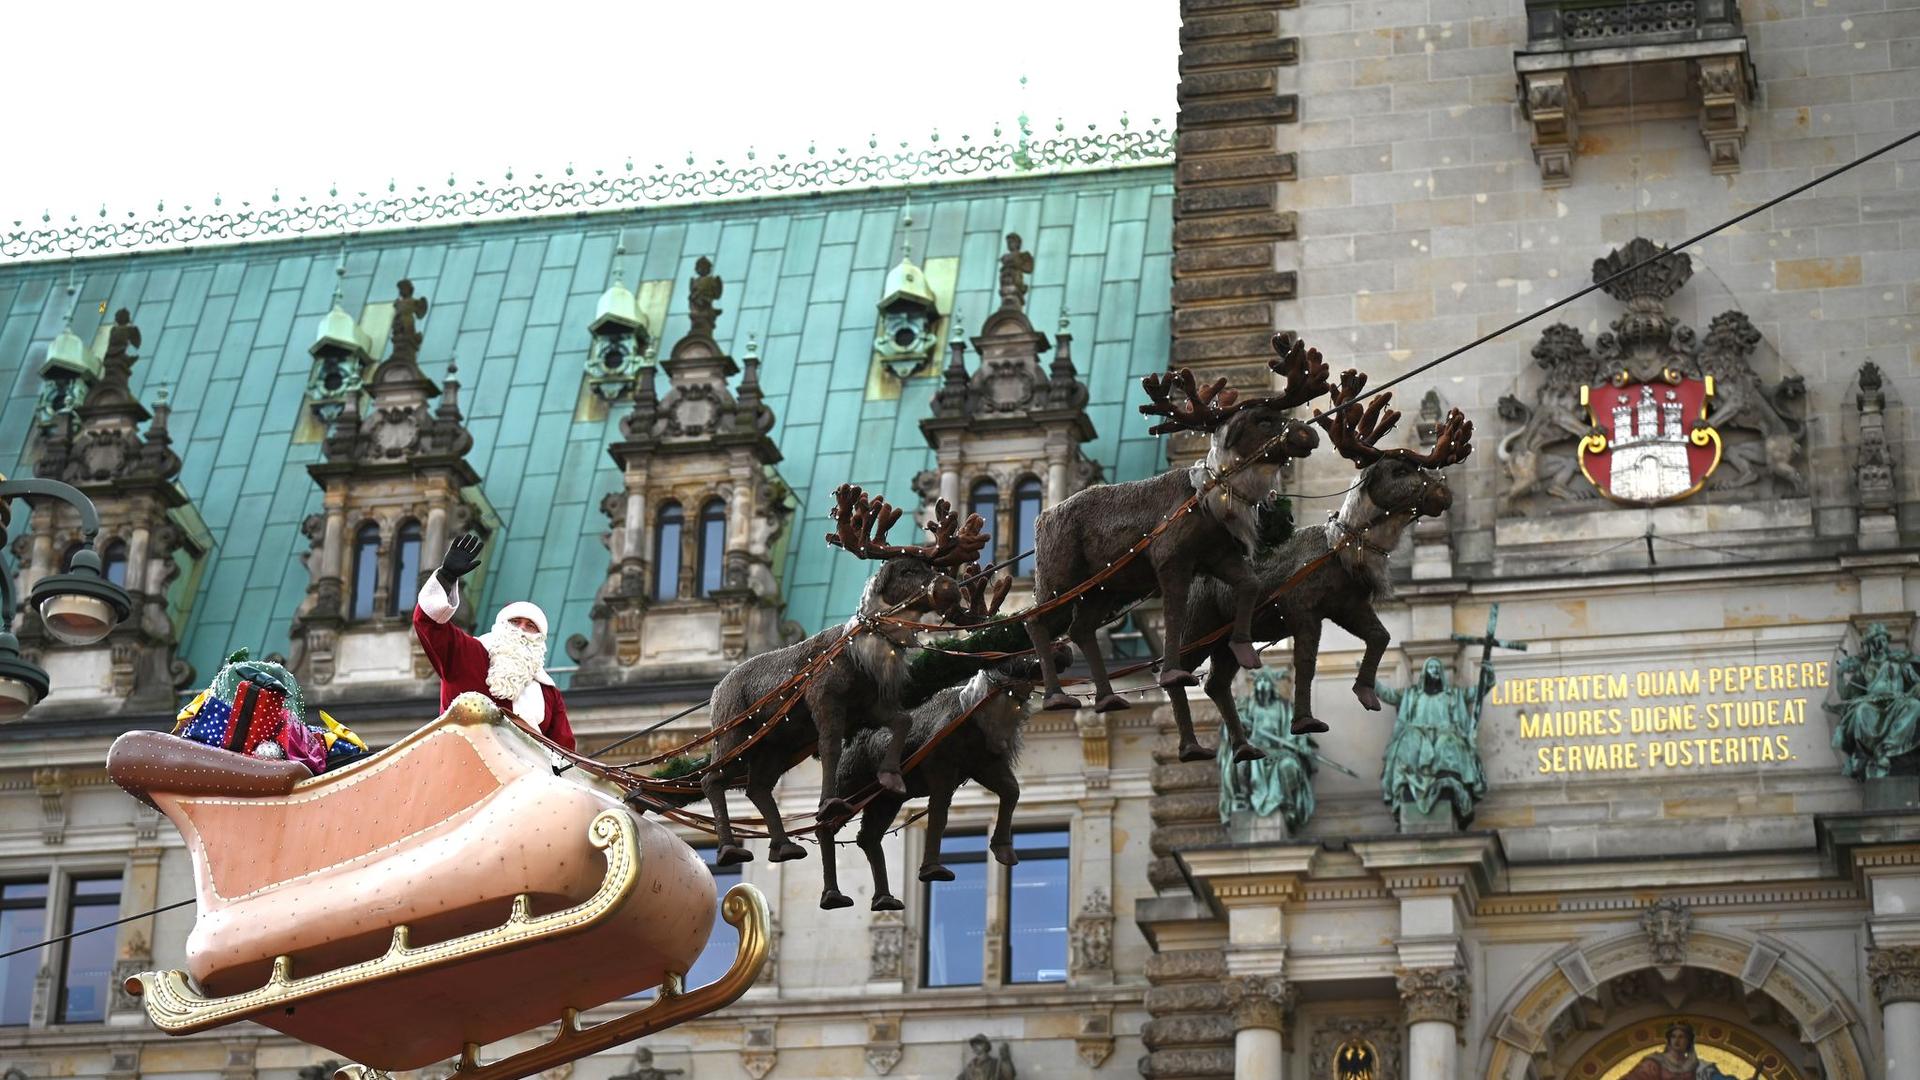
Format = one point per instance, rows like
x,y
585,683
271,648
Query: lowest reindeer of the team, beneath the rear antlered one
x,y
982,750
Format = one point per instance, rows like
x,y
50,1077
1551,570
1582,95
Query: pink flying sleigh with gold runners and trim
x,y
439,896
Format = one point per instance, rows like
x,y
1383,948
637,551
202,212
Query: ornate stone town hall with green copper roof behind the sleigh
x,y
1692,503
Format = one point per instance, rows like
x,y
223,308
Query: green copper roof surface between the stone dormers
x,y
228,333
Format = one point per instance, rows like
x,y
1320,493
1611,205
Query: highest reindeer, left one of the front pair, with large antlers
x,y
1249,445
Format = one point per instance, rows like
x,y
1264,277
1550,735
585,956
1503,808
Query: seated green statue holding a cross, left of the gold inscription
x,y
1433,760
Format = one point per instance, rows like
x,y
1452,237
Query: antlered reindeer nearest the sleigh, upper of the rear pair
x,y
859,689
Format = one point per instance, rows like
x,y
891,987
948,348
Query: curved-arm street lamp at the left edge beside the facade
x,y
78,606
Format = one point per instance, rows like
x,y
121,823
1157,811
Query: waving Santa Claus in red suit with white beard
x,y
508,664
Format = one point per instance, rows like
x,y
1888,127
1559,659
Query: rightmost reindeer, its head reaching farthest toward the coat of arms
x,y
1395,487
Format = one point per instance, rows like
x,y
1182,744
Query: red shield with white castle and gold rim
x,y
1650,441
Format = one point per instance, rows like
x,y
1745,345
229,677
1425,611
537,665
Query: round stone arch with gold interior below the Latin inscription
x,y
1591,1012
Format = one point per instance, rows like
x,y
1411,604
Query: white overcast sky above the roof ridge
x,y
128,105
